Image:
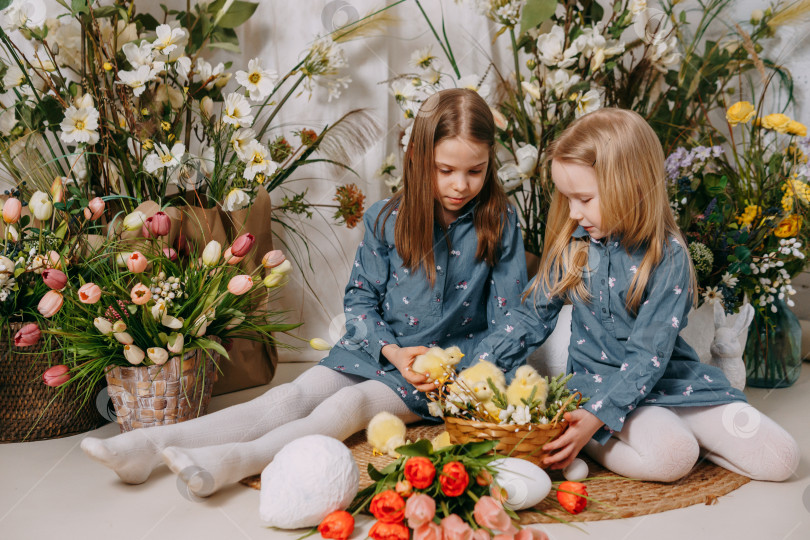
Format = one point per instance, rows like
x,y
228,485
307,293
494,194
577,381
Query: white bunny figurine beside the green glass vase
x,y
727,347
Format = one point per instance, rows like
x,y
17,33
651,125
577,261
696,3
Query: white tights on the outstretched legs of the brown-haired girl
x,y
224,447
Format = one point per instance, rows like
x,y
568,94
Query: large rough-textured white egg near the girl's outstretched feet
x,y
308,479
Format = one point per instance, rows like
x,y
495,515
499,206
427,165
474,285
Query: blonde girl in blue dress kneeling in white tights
x,y
613,249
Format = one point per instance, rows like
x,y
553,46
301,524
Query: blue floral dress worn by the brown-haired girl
x,y
386,303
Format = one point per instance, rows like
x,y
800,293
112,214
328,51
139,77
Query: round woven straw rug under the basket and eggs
x,y
617,496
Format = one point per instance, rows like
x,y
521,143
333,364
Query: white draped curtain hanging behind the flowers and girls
x,y
281,30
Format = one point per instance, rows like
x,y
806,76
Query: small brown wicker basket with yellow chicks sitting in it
x,y
525,442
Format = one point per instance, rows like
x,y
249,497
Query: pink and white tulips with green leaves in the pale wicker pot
x,y
137,302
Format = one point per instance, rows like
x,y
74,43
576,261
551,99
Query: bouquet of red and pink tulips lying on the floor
x,y
443,493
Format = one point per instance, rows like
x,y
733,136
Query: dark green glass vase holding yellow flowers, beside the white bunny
x,y
773,350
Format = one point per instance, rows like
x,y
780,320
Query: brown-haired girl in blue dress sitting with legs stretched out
x,y
441,263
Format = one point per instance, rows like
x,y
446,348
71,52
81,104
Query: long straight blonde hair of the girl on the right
x,y
628,160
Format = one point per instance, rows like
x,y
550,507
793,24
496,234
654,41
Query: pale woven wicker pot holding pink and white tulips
x,y
177,391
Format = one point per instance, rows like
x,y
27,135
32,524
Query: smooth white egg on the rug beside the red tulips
x,y
525,483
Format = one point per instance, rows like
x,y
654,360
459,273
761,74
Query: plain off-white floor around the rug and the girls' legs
x,y
49,489
